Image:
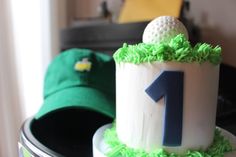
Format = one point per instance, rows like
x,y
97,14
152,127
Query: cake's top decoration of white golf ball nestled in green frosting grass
x,y
165,38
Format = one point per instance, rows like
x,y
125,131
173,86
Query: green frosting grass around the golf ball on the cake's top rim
x,y
178,49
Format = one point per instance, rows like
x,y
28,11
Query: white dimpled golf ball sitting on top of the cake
x,y
162,29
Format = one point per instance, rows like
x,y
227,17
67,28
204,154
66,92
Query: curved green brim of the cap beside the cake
x,y
81,97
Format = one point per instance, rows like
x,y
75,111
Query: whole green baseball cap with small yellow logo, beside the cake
x,y
80,78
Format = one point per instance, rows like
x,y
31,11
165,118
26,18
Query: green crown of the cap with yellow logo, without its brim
x,y
80,67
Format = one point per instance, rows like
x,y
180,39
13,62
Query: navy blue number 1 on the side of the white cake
x,y
170,85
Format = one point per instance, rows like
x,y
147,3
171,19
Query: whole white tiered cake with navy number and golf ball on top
x,y
166,98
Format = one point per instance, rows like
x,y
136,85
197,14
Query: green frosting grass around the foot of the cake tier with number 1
x,y
219,147
